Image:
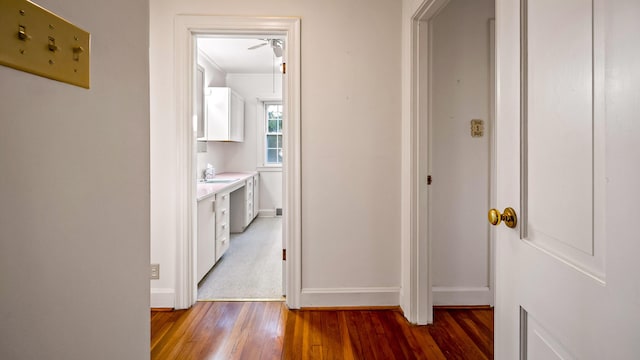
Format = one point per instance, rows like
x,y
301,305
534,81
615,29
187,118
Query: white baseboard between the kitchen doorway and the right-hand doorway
x,y
342,297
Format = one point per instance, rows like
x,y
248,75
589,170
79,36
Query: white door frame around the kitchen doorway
x,y
185,30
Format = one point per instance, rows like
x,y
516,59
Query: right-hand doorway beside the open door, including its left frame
x,y
452,167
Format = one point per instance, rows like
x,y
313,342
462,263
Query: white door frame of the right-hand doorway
x,y
420,300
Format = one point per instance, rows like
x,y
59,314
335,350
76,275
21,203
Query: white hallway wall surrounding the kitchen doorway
x,y
350,143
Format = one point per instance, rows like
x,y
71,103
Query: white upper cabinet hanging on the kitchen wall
x,y
225,115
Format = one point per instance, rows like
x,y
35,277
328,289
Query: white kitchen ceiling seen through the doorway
x,y
233,57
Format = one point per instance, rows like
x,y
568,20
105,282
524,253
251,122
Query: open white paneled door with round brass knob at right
x,y
559,295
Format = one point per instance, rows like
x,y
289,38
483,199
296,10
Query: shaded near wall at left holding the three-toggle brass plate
x,y
74,215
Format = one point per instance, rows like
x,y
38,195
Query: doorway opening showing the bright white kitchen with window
x,y
244,71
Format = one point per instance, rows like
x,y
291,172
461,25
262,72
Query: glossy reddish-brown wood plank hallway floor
x,y
268,330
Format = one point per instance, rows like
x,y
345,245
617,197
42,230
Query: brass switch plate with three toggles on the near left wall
x,y
37,41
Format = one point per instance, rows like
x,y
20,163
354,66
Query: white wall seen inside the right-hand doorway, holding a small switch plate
x,y
460,163
